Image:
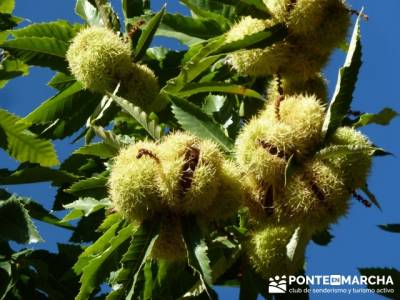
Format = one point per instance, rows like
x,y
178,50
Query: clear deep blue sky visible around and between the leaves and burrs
x,y
358,242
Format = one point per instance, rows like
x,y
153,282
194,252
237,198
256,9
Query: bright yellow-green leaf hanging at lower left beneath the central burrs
x,y
95,268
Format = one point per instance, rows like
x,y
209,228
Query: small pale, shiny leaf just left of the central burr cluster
x,y
84,207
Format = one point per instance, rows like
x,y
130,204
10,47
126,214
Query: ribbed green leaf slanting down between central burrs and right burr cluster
x,y
193,119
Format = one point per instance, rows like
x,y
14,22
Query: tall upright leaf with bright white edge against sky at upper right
x,y
343,95
